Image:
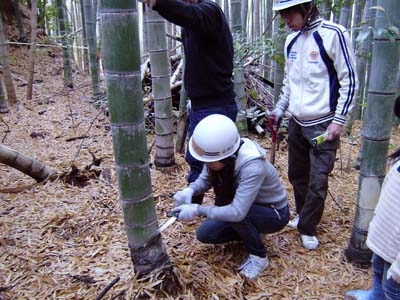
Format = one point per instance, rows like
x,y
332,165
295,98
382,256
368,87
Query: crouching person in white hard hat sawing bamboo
x,y
250,199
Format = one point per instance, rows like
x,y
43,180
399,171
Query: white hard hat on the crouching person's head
x,y
215,137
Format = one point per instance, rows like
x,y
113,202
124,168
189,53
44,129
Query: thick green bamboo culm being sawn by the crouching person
x,y
121,55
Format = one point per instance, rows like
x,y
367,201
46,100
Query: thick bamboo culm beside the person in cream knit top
x,y
377,126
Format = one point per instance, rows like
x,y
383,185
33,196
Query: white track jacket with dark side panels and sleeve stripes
x,y
320,82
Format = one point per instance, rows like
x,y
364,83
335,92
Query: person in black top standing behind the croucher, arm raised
x,y
208,49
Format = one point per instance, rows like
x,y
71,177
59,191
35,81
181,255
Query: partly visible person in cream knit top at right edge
x,y
384,237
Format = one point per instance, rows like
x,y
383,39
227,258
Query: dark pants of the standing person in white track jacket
x,y
308,172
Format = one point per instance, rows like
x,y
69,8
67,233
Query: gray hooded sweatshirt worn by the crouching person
x,y
257,182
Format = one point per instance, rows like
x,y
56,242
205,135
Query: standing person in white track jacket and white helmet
x,y
318,92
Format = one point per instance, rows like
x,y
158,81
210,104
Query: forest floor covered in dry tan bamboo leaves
x,y
59,241
